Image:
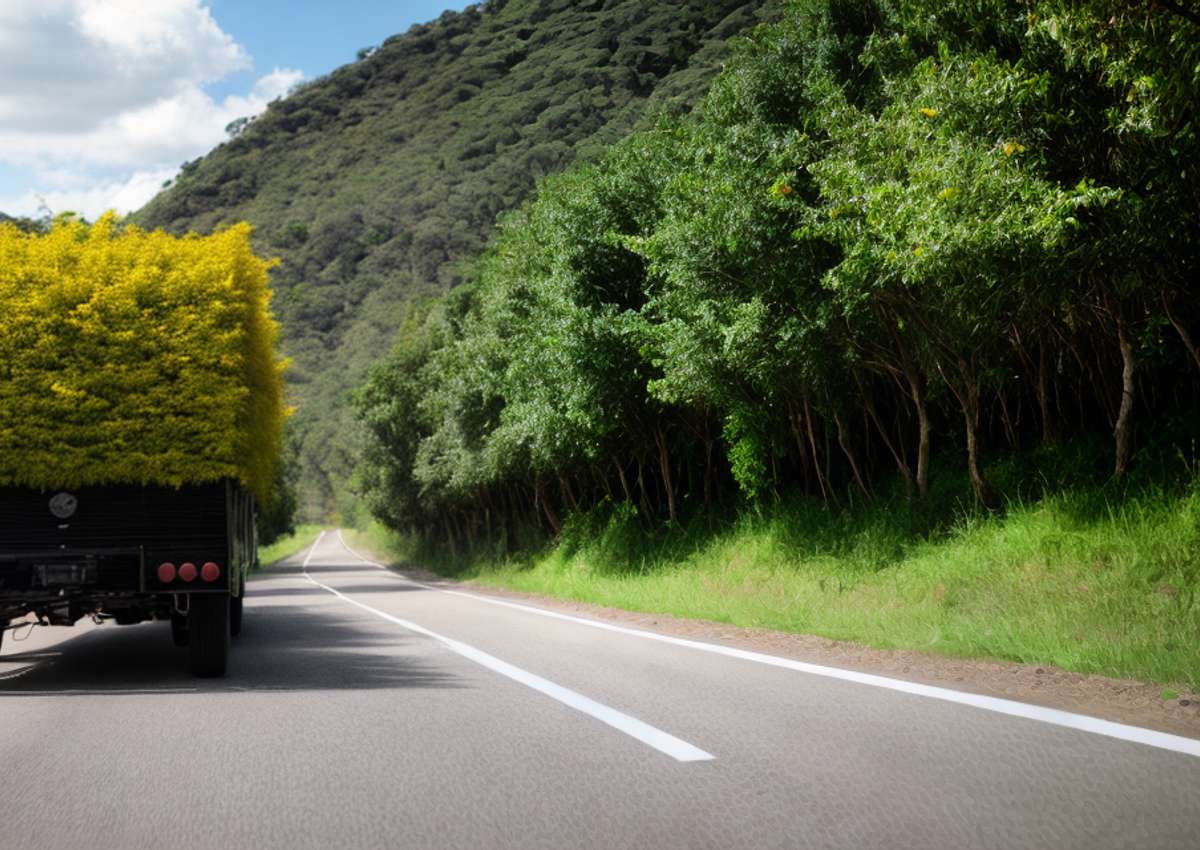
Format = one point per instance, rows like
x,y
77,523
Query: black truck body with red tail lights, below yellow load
x,y
128,555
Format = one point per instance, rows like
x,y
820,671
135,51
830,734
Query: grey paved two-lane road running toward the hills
x,y
367,711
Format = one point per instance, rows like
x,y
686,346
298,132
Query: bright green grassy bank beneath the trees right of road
x,y
1084,579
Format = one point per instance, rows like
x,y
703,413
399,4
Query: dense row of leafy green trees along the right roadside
x,y
892,225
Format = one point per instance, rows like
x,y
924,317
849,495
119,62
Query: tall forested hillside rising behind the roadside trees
x,y
377,183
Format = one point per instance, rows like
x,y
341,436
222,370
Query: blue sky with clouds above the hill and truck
x,y
101,101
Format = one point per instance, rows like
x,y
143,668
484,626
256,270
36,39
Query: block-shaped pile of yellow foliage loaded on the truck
x,y
130,357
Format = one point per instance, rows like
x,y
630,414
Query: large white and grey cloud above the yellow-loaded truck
x,y
104,99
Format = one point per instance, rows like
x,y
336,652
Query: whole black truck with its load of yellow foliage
x,y
141,421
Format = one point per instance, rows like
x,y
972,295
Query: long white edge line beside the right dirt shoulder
x,y
1057,717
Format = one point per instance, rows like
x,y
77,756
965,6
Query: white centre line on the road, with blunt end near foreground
x,y
652,737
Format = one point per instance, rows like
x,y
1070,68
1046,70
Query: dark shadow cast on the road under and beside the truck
x,y
283,648
